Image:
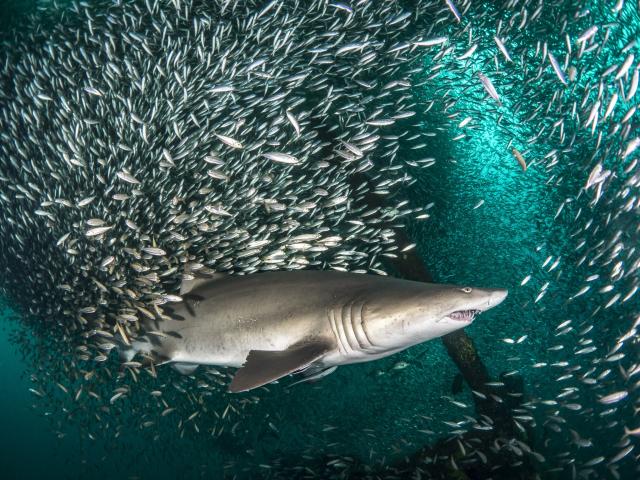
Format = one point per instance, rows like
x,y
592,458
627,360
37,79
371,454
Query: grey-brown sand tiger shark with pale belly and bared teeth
x,y
273,324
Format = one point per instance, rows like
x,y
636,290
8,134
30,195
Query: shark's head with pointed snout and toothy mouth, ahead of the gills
x,y
398,318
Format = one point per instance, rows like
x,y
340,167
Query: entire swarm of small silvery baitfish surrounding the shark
x,y
246,136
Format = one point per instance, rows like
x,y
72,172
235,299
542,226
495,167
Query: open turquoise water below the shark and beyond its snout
x,y
373,413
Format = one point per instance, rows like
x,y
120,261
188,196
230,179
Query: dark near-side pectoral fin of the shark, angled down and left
x,y
263,366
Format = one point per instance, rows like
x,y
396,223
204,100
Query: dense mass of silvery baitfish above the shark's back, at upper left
x,y
142,136
